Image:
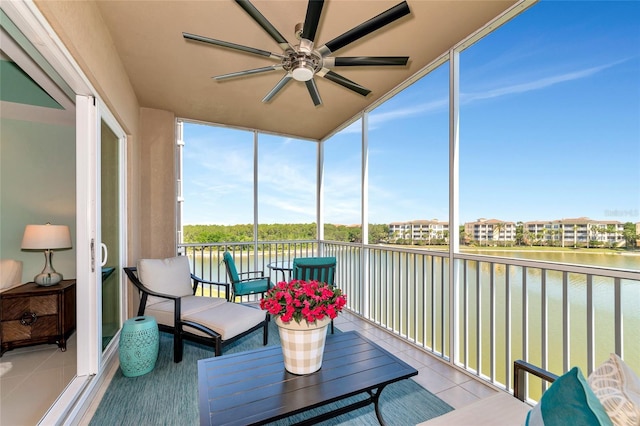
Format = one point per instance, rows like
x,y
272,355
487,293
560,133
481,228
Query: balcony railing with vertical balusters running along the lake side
x,y
493,311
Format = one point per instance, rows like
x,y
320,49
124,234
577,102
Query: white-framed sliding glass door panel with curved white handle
x,y
101,229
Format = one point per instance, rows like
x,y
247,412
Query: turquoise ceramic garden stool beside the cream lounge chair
x,y
139,342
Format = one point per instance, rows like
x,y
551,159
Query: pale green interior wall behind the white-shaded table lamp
x,y
37,185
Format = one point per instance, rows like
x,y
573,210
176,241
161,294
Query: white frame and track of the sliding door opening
x,y
89,112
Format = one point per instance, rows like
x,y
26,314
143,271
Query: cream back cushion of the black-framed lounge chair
x,y
170,276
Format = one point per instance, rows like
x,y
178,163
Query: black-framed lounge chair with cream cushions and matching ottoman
x,y
168,292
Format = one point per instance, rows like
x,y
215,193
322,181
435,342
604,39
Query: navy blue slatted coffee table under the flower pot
x,y
253,388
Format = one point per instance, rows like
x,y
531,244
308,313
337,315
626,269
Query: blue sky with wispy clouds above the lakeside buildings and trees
x,y
549,129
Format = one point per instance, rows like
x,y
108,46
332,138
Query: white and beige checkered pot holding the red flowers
x,y
302,344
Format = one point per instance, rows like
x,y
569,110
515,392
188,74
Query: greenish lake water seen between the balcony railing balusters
x,y
543,331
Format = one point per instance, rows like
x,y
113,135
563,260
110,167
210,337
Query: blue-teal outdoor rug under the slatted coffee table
x,y
169,394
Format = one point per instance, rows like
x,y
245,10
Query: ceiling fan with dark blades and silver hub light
x,y
303,61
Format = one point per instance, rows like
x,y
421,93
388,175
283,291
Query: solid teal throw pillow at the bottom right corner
x,y
569,400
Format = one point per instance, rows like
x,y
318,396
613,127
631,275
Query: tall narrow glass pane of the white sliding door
x,y
110,233
